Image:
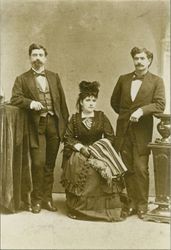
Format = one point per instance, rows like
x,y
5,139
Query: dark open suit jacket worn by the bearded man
x,y
24,92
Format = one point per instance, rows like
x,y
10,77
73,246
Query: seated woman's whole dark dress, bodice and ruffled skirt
x,y
87,192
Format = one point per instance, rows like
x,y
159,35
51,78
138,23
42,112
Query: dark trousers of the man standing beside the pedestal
x,y
137,176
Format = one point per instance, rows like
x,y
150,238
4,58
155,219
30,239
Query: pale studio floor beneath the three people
x,y
49,230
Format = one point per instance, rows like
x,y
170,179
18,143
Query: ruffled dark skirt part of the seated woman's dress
x,y
88,195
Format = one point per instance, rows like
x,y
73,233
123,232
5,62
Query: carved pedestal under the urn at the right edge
x,y
161,159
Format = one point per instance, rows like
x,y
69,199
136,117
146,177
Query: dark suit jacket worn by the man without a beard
x,y
150,97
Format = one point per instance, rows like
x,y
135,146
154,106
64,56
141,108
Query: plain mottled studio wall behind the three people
x,y
86,40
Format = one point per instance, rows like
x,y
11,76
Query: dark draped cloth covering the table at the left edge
x,y
15,165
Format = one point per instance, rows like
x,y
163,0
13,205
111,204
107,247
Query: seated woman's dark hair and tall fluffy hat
x,y
87,89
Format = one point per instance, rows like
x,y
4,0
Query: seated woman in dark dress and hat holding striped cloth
x,y
93,184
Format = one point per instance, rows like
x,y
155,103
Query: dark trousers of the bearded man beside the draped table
x,y
43,159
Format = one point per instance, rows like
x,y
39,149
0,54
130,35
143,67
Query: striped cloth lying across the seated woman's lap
x,y
103,150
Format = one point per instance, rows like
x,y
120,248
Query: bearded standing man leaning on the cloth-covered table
x,y
40,93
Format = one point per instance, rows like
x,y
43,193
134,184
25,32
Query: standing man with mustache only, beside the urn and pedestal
x,y
137,96
